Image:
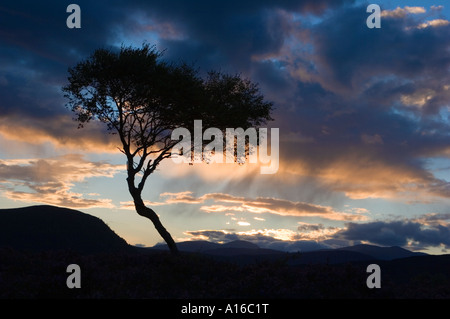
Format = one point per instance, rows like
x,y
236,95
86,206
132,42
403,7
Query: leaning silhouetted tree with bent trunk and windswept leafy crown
x,y
143,99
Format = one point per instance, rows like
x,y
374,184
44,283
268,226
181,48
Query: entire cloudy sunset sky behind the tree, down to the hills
x,y
363,116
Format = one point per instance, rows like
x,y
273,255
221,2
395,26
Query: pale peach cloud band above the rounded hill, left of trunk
x,y
51,180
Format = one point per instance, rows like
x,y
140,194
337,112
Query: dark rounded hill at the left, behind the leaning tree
x,y
41,228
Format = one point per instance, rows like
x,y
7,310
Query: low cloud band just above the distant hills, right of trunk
x,y
429,230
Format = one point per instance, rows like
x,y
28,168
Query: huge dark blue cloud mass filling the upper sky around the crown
x,y
357,106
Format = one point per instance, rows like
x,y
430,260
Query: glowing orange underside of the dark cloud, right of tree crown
x,y
363,173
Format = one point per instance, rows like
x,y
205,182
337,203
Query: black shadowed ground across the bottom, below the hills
x,y
159,275
